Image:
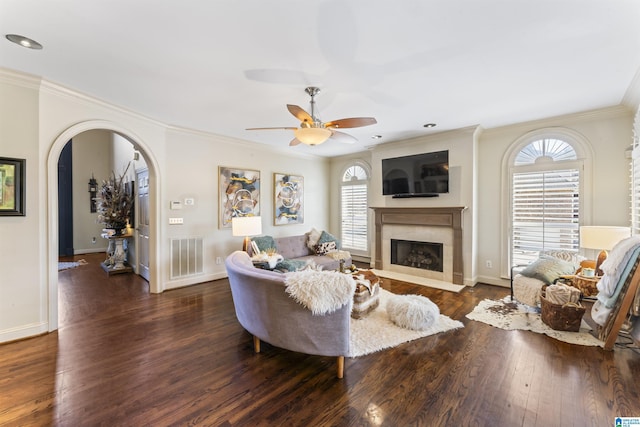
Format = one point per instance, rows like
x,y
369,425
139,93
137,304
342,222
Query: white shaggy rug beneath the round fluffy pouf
x,y
376,332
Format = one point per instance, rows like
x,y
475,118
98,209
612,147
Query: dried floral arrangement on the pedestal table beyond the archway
x,y
114,202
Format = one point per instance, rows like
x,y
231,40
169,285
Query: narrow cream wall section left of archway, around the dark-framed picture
x,y
23,287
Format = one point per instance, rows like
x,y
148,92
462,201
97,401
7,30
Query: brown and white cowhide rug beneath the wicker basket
x,y
508,315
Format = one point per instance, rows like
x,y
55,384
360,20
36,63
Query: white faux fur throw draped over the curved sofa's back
x,y
322,292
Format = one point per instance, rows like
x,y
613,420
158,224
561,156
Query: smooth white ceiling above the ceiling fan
x,y
222,66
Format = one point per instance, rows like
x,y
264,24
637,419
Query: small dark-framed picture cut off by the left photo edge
x,y
12,186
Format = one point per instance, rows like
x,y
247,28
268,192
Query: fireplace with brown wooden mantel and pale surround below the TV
x,y
441,226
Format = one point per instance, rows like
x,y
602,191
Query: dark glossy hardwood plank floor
x,y
125,357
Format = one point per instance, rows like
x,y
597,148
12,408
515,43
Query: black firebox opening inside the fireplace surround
x,y
425,255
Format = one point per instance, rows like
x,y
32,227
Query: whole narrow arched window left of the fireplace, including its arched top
x,y
354,208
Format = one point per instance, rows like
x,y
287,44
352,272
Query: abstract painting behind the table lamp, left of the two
x,y
239,194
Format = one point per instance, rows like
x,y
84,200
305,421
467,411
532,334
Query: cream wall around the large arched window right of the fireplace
x,y
608,132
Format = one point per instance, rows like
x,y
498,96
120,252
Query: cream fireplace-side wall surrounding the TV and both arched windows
x,y
477,179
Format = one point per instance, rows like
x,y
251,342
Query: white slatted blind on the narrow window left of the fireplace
x,y
354,217
